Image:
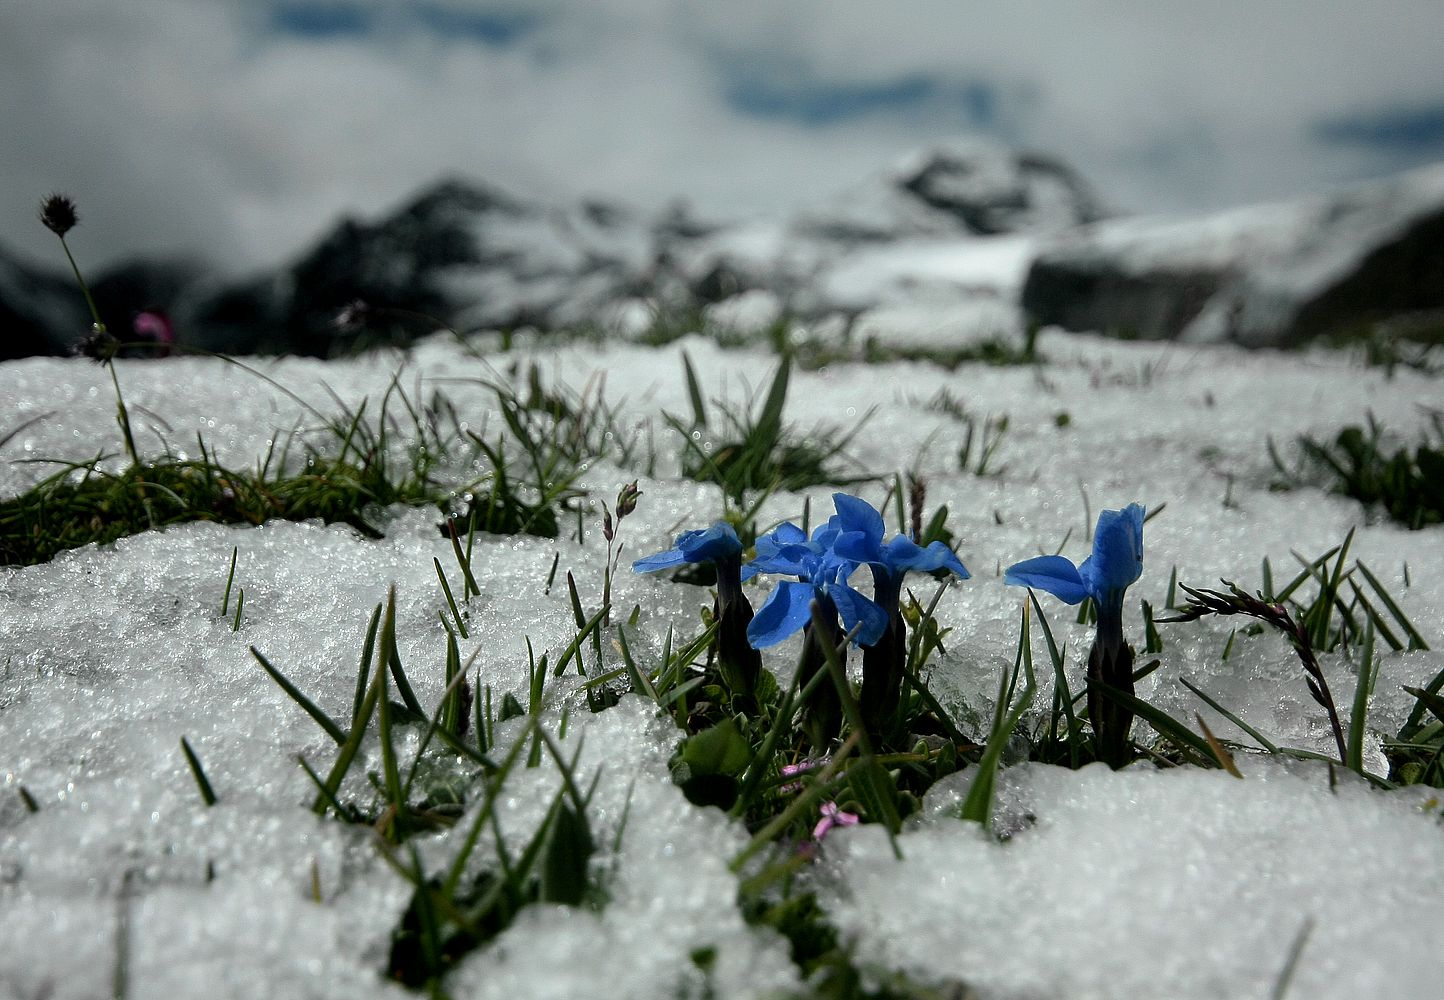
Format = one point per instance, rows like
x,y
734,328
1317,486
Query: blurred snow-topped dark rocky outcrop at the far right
x,y
1269,276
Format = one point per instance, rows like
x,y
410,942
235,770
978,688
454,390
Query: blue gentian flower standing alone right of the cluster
x,y
1105,576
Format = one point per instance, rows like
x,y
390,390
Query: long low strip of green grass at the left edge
x,y
359,468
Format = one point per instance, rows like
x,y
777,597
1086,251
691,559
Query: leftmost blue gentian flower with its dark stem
x,y
737,659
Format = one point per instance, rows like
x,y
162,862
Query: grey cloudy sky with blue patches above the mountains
x,y
238,131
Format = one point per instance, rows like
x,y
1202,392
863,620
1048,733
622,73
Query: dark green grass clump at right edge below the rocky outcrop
x,y
1407,486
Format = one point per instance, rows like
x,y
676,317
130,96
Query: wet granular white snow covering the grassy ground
x,y
1140,884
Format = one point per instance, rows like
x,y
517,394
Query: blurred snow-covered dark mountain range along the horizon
x,y
952,243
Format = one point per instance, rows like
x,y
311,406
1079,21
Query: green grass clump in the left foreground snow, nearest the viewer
x,y
458,910
